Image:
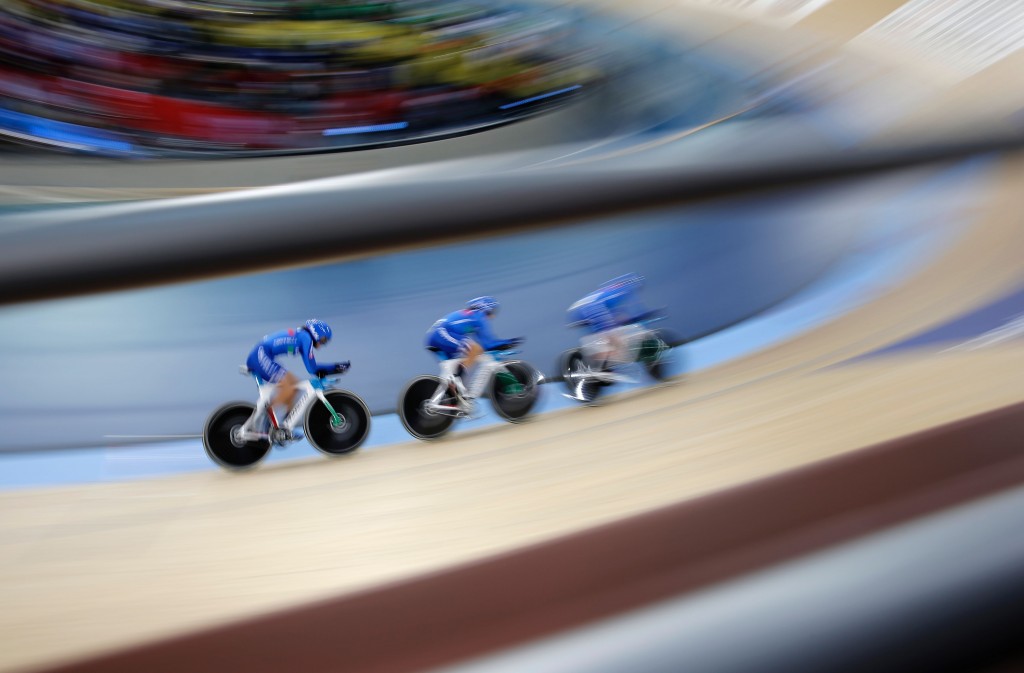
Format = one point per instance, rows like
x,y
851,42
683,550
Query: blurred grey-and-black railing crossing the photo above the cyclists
x,y
76,251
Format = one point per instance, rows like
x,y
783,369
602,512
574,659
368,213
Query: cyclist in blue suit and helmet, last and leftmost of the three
x,y
303,341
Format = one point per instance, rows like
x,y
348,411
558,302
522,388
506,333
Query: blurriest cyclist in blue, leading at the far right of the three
x,y
609,316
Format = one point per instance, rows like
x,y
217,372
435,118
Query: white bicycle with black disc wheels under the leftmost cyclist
x,y
239,435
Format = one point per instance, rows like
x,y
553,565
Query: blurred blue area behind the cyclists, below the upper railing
x,y
749,255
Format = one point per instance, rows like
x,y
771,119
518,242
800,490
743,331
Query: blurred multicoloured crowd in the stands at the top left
x,y
166,76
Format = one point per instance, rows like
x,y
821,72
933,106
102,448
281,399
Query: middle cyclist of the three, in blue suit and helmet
x,y
460,339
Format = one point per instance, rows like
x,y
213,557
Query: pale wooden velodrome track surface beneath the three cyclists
x,y
91,570
